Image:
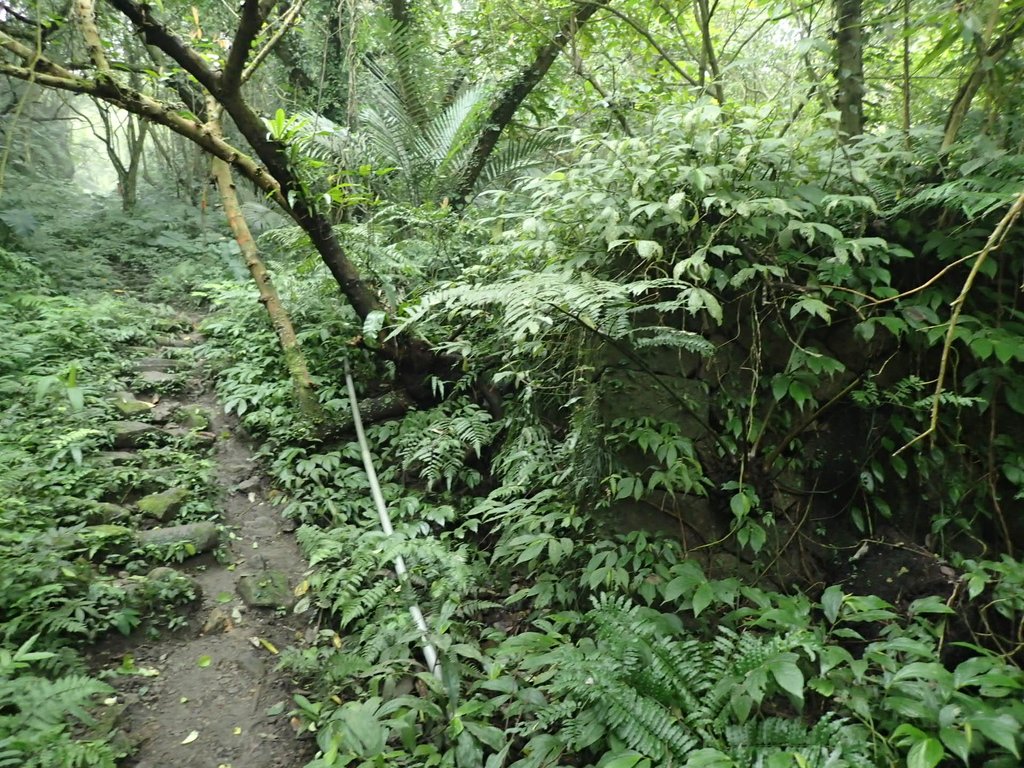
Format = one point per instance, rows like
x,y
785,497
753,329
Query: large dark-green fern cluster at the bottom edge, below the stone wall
x,y
674,699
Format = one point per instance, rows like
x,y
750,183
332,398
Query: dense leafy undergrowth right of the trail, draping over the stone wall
x,y
567,637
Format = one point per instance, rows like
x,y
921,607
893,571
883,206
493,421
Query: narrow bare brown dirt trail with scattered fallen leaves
x,y
218,701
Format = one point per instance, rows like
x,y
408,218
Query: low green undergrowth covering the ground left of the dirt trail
x,y
71,570
